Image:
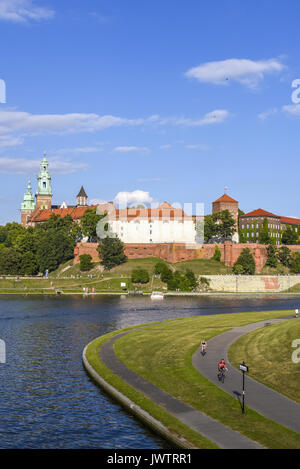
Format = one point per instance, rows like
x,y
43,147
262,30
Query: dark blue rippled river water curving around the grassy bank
x,y
46,398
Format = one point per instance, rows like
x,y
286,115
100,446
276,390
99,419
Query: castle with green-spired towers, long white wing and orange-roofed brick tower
x,y
164,224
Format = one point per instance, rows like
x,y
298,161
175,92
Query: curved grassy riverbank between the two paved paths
x,y
162,353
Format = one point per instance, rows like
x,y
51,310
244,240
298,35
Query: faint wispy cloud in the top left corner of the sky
x,y
20,11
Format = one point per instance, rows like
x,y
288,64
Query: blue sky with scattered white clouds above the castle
x,y
163,100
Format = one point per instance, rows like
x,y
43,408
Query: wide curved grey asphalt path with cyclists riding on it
x,y
264,400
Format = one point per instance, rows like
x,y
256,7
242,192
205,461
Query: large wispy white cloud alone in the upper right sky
x,y
247,72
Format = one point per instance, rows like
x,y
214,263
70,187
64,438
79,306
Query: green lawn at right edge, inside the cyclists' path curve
x,y
268,353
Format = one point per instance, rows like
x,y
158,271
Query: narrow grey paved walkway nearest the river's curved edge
x,y
214,431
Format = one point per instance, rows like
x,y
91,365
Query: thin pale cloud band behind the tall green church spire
x,y
27,166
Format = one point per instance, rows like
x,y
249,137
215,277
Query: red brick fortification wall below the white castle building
x,y
177,252
